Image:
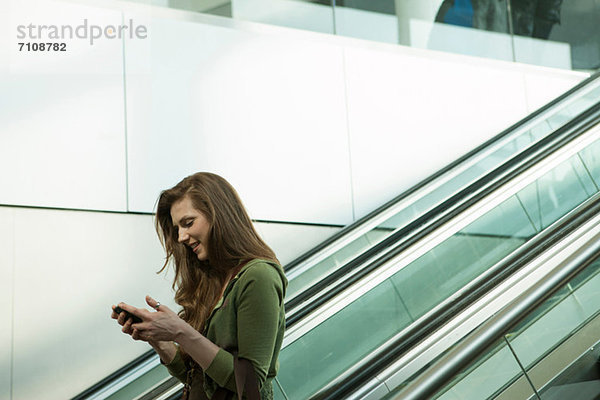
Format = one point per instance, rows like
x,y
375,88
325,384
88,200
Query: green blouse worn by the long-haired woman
x,y
249,318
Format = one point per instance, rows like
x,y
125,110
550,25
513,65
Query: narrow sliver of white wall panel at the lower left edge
x,y
6,299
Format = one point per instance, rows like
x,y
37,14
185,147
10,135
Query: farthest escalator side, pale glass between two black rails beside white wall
x,y
321,275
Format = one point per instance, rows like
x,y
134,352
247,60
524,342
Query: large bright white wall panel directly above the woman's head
x,y
265,112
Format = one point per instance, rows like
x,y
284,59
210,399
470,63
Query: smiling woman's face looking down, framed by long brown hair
x,y
192,227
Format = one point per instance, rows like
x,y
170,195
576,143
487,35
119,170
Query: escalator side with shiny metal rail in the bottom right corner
x,y
542,345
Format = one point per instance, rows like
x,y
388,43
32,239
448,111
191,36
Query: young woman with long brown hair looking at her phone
x,y
230,287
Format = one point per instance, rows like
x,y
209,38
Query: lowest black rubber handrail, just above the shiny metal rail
x,y
422,328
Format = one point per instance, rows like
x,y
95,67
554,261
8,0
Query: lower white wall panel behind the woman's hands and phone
x,y
70,267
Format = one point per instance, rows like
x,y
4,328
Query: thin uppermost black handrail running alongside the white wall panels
x,y
349,228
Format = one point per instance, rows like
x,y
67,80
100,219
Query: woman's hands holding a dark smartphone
x,y
161,325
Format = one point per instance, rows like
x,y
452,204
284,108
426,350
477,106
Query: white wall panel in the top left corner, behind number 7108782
x,y
62,114
